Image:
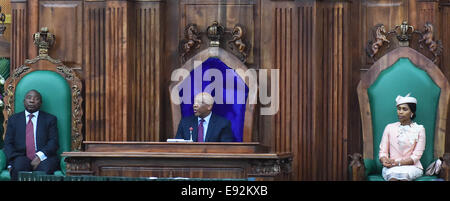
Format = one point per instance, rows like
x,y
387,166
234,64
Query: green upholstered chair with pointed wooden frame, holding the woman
x,y
400,72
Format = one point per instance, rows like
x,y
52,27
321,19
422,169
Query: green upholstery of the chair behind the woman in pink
x,y
401,78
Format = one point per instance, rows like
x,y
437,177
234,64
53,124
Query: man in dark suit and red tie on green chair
x,y
31,140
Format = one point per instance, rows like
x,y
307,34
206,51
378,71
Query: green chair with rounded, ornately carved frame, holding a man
x,y
61,96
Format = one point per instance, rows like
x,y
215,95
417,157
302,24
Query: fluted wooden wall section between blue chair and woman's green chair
x,y
309,49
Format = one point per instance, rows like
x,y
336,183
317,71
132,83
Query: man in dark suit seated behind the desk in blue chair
x,y
204,126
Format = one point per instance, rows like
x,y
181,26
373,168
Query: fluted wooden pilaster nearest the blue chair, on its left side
x,y
146,77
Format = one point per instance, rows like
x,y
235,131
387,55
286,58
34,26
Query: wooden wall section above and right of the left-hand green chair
x,y
116,46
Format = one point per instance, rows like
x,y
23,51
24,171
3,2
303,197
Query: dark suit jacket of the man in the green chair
x,y
46,135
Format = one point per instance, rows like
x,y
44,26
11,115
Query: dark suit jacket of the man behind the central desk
x,y
219,129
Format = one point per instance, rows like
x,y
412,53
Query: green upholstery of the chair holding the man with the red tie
x,y
56,100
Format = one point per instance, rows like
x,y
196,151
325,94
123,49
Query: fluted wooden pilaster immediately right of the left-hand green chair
x,y
94,70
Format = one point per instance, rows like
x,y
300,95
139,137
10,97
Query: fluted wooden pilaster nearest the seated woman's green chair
x,y
333,121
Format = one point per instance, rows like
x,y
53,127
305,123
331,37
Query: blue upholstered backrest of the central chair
x,y
234,95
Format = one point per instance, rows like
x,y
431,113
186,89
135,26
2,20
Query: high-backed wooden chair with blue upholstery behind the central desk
x,y
215,58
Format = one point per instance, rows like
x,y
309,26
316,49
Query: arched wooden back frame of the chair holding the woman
x,y
421,62
